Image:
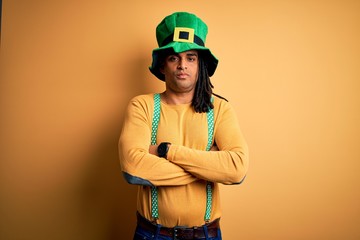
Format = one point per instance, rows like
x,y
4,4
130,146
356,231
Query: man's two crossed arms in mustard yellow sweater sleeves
x,y
227,163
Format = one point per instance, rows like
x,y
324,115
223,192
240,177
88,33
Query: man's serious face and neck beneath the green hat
x,y
181,71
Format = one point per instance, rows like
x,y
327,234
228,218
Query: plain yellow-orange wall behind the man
x,y
290,68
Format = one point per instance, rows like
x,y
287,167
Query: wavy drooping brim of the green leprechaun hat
x,y
178,47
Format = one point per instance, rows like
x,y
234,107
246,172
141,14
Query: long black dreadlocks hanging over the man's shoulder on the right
x,y
203,89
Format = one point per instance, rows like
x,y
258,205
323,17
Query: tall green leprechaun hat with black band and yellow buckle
x,y
180,32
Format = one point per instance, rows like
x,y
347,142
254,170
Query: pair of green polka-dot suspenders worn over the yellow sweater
x,y
155,124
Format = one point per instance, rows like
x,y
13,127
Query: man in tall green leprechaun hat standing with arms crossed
x,y
166,139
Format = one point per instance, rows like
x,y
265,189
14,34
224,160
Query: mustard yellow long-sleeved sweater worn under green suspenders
x,y
181,178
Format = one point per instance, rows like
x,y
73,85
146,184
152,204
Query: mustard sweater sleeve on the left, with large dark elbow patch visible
x,y
138,165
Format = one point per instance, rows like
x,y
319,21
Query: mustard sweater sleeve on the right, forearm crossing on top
x,y
229,165
